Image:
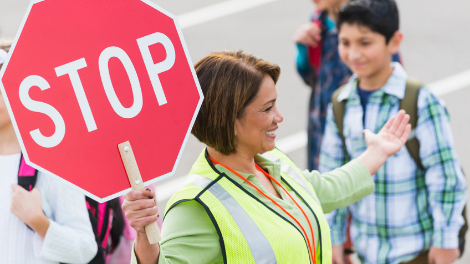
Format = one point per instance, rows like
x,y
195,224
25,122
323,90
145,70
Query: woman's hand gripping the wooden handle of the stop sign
x,y
140,208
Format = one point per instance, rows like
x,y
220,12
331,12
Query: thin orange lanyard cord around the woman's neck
x,y
278,205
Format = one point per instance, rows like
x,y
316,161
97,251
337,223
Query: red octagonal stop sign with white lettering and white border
x,y
84,76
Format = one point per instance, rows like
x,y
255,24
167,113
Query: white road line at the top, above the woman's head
x,y
216,11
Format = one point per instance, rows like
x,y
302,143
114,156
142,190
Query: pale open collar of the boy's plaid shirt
x,y
395,84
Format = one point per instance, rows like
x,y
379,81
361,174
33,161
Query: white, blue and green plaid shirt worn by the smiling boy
x,y
410,209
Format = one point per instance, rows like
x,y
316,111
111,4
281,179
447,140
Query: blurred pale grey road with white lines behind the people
x,y
435,50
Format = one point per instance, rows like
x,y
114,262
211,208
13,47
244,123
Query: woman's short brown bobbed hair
x,y
230,81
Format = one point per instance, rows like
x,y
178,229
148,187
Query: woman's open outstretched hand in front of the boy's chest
x,y
392,137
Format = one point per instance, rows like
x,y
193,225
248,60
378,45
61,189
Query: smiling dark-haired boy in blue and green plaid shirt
x,y
415,212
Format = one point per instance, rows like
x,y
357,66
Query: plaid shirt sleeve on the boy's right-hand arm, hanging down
x,y
445,182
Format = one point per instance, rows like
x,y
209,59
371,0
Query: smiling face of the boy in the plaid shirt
x,y
364,51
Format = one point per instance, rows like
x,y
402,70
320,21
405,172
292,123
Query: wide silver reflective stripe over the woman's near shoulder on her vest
x,y
259,245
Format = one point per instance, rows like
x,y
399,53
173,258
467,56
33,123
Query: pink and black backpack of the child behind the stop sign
x,y
106,219
